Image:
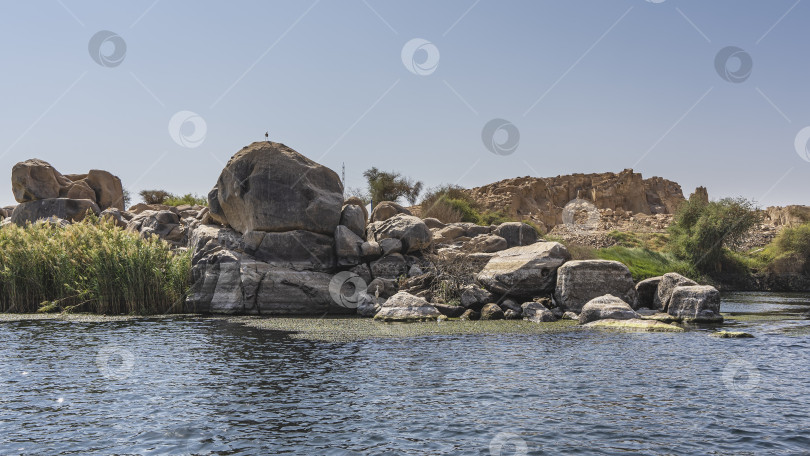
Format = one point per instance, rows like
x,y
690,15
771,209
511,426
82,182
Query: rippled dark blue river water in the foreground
x,y
207,386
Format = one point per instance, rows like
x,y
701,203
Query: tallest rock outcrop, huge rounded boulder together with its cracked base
x,y
279,245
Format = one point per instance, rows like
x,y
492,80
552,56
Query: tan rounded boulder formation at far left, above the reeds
x,y
35,179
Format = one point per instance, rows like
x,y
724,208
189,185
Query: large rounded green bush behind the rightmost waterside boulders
x,y
701,230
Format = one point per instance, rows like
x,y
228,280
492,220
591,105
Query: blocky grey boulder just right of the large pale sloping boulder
x,y
580,281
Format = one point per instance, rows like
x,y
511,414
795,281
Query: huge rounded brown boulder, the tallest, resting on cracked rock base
x,y
267,186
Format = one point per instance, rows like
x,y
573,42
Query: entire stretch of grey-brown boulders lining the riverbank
x,y
278,238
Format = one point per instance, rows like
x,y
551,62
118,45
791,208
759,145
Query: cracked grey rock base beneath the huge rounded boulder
x,y
228,279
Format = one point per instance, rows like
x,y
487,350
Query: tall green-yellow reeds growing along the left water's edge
x,y
91,266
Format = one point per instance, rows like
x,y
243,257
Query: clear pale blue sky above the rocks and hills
x,y
591,86
